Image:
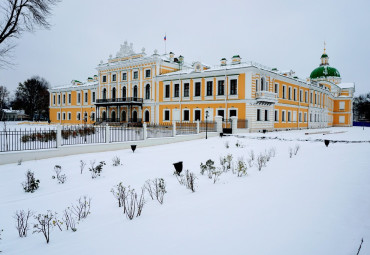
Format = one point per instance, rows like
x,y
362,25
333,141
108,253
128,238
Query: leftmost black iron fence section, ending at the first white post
x,y
31,139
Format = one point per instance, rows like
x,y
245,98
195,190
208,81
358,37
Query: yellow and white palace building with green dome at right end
x,y
135,87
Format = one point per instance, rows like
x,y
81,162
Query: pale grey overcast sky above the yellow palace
x,y
285,34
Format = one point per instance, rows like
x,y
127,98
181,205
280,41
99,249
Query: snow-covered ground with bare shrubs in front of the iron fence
x,y
316,202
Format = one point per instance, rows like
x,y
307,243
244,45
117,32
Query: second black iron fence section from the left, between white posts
x,y
85,134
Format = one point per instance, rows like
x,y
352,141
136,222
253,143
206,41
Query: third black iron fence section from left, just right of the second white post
x,y
126,133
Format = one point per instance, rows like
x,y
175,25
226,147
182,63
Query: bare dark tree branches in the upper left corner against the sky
x,y
21,16
